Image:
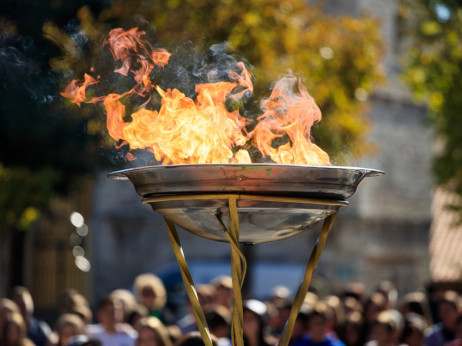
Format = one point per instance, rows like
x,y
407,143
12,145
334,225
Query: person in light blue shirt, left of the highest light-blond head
x,y
111,330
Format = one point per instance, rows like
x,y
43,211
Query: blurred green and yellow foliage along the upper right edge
x,y
433,63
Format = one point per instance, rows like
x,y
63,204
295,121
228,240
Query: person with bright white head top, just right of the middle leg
x,y
254,324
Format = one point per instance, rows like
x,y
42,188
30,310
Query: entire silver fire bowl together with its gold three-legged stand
x,y
245,204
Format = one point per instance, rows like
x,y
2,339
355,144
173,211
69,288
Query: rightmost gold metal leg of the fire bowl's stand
x,y
303,289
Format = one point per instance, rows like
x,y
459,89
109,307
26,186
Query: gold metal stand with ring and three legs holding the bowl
x,y
238,263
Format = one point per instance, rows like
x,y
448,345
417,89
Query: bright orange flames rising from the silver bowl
x,y
202,130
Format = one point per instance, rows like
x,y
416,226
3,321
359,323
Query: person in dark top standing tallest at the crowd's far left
x,y
37,331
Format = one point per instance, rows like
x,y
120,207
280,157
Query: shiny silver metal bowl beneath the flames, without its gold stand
x,y
170,189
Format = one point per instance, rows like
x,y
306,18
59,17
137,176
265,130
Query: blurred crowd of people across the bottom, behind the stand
x,y
123,318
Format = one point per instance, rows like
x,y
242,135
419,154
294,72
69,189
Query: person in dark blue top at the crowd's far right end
x,y
444,331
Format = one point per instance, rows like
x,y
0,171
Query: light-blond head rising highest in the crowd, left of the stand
x,y
150,291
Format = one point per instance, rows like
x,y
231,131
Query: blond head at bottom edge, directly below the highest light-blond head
x,y
152,332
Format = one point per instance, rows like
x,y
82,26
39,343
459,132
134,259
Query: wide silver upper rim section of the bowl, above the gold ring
x,y
325,182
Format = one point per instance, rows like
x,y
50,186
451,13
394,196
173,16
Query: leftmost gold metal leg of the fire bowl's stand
x,y
188,283
